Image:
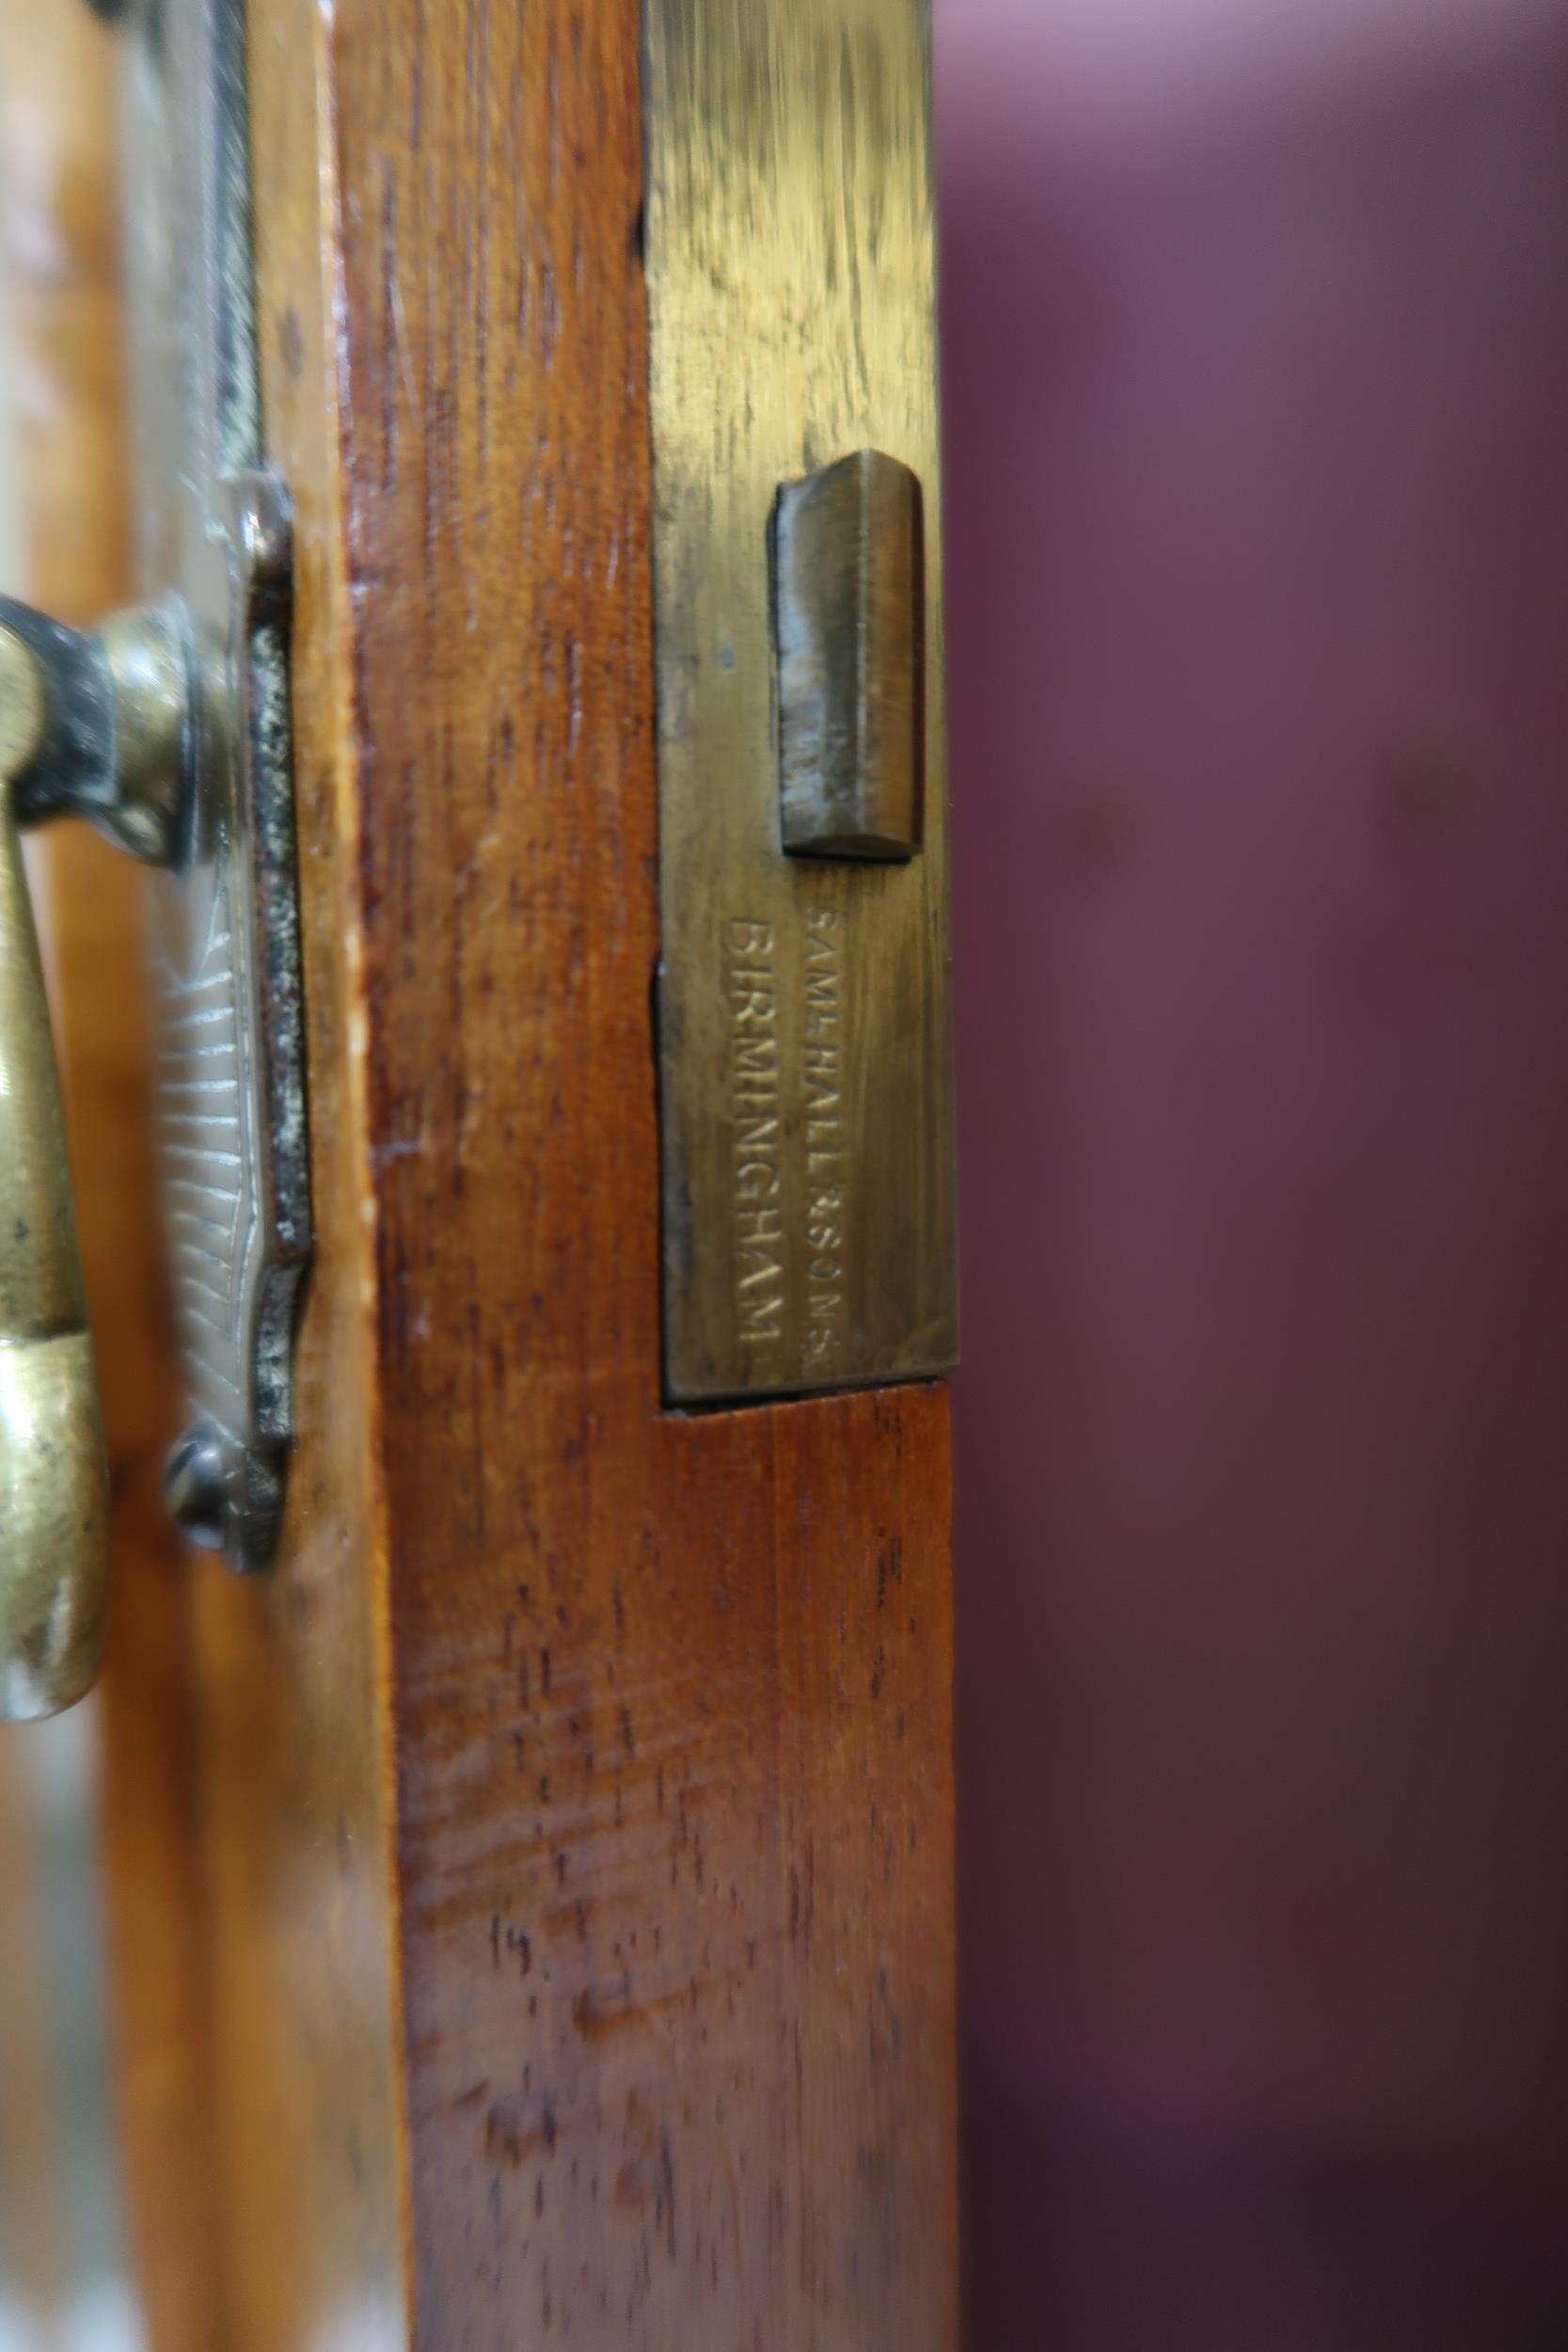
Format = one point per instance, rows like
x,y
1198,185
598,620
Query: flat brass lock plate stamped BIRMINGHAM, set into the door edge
x,y
805,1027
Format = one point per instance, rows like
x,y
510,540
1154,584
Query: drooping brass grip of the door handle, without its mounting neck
x,y
53,1462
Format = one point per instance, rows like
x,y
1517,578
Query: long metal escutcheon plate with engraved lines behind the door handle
x,y
225,921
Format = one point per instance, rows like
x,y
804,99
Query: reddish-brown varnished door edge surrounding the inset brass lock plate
x,y
671,1716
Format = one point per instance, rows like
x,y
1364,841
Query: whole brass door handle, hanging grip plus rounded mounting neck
x,y
91,726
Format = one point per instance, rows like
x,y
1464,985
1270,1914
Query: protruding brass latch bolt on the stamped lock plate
x,y
850,622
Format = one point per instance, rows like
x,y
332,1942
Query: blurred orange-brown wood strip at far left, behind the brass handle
x,y
60,201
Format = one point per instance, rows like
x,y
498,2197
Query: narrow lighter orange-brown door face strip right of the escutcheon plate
x,y
293,1666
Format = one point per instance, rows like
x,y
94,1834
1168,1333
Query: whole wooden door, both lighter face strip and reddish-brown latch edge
x,y
572,1810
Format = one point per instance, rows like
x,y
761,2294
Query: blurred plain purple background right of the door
x,y
1257,323
